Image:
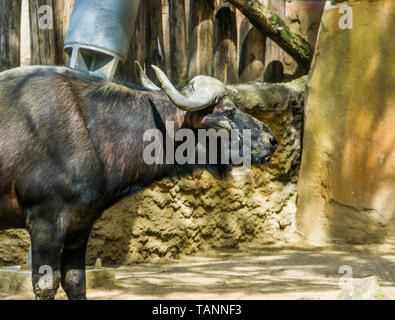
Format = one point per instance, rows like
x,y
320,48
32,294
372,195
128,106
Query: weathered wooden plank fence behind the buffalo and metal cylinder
x,y
184,37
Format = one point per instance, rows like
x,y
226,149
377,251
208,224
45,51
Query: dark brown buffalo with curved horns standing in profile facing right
x,y
71,145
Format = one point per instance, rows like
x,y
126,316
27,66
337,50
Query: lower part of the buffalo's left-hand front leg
x,y
47,238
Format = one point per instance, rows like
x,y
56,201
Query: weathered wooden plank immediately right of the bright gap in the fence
x,y
43,46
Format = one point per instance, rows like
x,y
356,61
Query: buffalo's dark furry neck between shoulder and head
x,y
117,118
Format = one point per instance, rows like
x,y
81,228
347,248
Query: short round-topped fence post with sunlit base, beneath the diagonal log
x,y
252,55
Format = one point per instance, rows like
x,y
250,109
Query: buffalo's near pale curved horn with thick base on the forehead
x,y
207,91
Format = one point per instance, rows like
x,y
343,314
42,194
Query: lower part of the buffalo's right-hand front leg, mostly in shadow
x,y
73,271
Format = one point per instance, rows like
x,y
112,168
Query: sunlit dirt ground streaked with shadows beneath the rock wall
x,y
267,272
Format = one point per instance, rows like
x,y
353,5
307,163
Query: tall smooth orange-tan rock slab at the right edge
x,y
347,181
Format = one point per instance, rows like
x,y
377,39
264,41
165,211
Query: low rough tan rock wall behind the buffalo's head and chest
x,y
196,213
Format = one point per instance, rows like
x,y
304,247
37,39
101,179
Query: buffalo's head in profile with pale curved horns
x,y
208,106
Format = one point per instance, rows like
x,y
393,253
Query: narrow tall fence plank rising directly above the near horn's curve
x,y
178,42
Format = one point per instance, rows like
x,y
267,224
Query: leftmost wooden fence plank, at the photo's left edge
x,y
10,33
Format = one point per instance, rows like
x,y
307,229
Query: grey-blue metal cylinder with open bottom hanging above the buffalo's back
x,y
99,34
